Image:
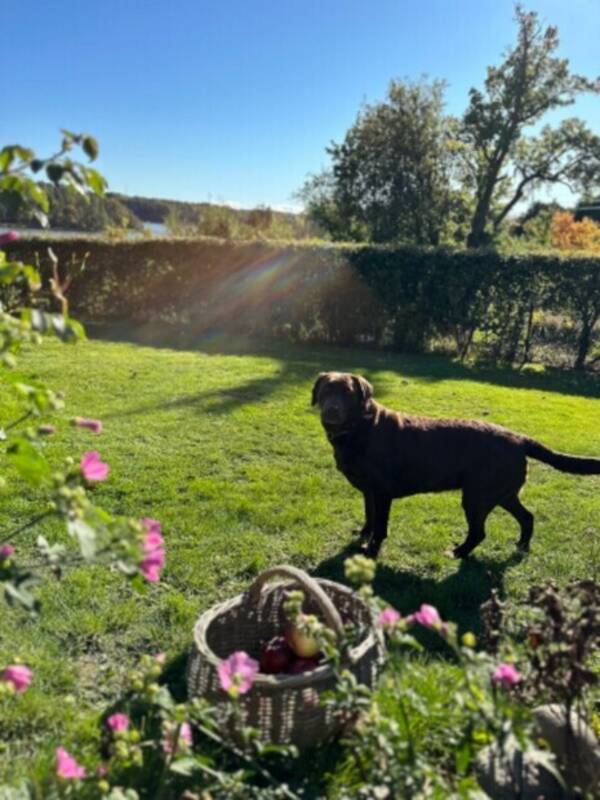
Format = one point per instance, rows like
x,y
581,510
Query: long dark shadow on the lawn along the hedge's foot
x,y
302,361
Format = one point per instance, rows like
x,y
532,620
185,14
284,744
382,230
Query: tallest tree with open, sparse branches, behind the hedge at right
x,y
501,164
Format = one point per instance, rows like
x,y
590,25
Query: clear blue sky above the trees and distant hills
x,y
235,100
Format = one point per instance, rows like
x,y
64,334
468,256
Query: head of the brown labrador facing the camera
x,y
342,398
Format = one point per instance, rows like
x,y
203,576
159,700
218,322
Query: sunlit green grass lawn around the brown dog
x,y
221,445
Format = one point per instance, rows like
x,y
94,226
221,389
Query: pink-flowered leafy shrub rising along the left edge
x,y
134,547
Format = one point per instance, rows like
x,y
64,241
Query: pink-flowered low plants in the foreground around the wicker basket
x,y
409,737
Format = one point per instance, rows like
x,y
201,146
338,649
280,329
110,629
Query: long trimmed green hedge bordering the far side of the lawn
x,y
506,306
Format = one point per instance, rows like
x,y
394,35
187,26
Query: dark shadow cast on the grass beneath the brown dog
x,y
458,596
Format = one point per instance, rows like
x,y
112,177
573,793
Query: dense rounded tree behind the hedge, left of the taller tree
x,y
390,177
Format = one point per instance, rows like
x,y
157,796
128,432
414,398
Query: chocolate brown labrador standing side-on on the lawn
x,y
386,454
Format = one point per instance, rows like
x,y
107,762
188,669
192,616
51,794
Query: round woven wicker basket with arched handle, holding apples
x,y
283,708
